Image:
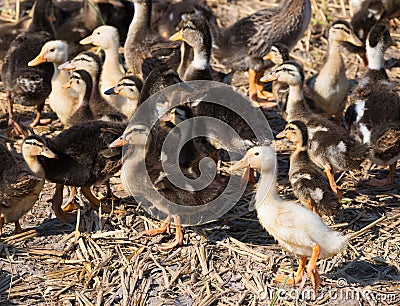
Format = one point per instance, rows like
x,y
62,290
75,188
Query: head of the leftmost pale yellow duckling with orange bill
x,y
54,51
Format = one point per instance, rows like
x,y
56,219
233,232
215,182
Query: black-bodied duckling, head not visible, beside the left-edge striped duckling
x,y
83,160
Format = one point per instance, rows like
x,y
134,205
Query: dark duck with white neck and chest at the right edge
x,y
373,117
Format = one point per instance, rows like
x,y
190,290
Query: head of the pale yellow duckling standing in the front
x,y
261,158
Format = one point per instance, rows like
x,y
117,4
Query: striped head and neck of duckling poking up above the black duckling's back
x,y
128,87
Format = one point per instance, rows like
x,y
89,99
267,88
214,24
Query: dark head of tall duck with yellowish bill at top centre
x,y
195,33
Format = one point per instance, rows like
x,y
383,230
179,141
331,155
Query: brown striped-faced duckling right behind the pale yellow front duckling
x,y
310,184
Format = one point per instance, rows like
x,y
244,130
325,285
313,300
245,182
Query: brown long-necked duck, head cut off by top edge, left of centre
x,y
143,41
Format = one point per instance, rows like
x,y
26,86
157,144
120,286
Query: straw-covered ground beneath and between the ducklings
x,y
100,260
